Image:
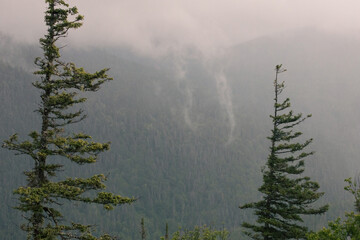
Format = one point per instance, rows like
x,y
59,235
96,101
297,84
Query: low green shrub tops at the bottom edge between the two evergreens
x,y
200,233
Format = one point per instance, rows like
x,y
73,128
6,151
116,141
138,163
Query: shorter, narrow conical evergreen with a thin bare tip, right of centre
x,y
286,194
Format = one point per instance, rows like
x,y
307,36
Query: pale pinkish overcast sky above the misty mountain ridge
x,y
161,25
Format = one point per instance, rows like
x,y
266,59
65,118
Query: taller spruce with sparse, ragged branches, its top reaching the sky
x,y
59,85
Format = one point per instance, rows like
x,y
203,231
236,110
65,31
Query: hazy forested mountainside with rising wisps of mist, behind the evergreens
x,y
189,136
